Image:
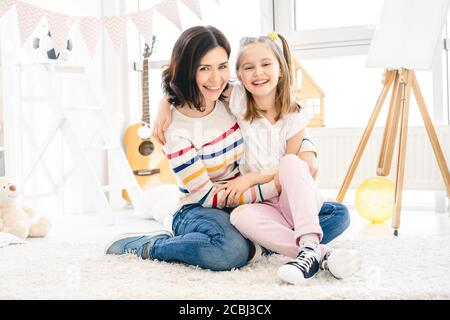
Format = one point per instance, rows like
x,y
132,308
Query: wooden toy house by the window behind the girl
x,y
309,94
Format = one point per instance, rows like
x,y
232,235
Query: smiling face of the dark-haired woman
x,y
212,75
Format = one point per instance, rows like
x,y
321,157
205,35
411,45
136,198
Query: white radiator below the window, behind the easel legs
x,y
337,147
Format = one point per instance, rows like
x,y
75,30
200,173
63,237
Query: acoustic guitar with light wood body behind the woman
x,y
147,160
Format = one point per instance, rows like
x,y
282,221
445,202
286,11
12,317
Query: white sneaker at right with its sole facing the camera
x,y
342,263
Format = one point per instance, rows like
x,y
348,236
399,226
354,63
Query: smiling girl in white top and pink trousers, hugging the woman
x,y
265,107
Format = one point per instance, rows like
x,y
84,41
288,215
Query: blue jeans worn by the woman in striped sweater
x,y
205,237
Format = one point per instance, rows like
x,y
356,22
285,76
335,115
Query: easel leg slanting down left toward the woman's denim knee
x,y
388,79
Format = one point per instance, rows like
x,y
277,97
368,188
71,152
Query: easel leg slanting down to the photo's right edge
x,y
431,133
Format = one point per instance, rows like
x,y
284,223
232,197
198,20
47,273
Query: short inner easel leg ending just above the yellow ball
x,y
390,131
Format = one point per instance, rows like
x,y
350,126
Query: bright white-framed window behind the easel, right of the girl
x,y
333,47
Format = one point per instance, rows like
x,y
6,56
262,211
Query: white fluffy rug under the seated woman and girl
x,y
403,268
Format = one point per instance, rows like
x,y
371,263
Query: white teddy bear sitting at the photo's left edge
x,y
16,218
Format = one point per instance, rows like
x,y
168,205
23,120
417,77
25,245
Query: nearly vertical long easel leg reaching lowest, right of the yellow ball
x,y
405,82
